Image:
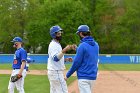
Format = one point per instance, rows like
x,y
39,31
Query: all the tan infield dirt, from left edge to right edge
x,y
107,82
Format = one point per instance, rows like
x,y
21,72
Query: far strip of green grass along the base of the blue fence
x,y
102,67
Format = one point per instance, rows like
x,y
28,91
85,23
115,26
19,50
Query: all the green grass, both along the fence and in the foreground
x,y
40,84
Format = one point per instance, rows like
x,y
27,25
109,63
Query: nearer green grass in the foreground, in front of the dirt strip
x,y
33,83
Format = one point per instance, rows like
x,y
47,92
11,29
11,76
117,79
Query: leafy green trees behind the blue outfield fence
x,y
114,24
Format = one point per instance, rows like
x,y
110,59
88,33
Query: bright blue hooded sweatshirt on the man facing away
x,y
86,60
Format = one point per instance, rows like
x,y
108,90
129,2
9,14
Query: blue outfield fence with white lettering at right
x,y
103,58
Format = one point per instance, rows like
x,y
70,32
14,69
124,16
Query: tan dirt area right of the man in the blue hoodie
x,y
118,82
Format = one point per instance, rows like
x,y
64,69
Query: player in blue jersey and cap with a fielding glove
x,y
19,67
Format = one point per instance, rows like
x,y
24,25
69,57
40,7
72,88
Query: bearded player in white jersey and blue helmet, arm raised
x,y
56,61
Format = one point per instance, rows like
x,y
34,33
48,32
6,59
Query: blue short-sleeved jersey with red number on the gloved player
x,y
20,55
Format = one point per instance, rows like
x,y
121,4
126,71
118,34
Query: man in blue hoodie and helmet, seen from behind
x,y
85,61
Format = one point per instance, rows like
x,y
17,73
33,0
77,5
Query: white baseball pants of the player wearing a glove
x,y
18,84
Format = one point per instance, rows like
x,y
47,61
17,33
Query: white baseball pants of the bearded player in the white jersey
x,y
57,82
